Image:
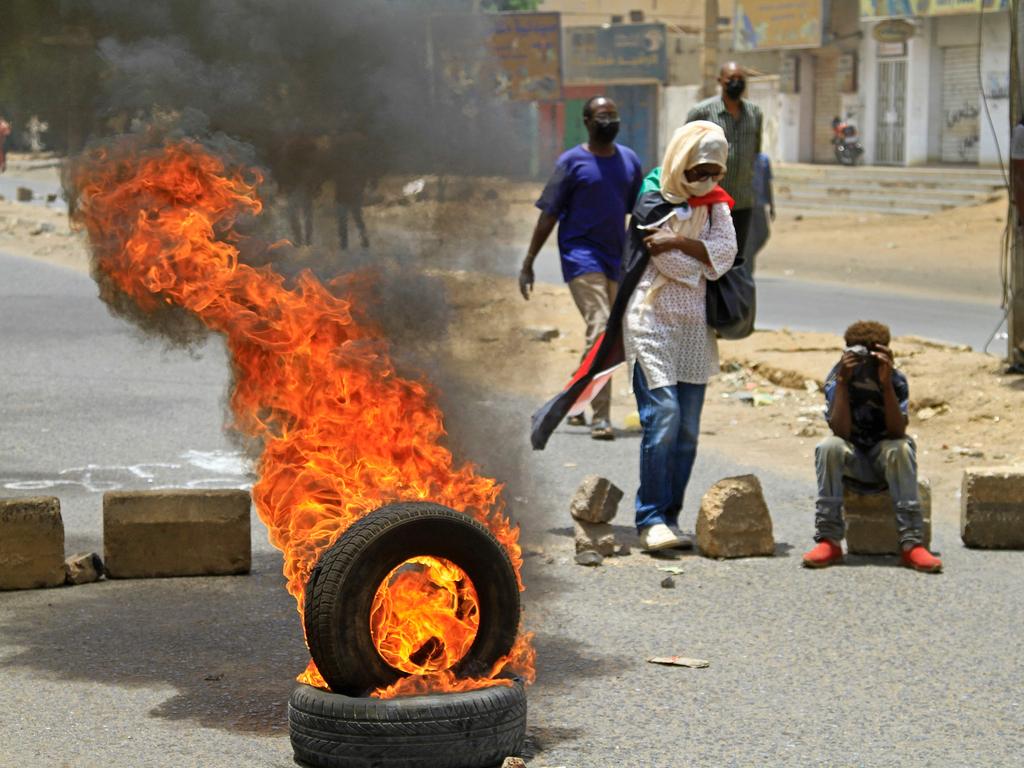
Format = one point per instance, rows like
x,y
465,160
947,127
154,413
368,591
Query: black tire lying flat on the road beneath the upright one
x,y
476,730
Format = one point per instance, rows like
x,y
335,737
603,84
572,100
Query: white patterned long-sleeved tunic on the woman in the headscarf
x,y
666,326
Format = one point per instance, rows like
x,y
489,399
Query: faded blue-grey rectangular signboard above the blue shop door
x,y
606,55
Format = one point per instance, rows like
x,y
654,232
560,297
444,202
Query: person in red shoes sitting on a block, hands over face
x,y
867,410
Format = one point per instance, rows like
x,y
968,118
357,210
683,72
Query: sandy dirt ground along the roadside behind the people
x,y
765,408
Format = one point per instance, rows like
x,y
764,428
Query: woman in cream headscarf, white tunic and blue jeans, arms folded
x,y
669,346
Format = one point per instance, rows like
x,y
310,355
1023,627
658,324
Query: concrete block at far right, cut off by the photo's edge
x,y
993,507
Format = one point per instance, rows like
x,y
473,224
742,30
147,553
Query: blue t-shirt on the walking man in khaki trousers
x,y
591,196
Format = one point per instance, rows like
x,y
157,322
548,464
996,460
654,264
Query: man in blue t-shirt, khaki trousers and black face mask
x,y
592,190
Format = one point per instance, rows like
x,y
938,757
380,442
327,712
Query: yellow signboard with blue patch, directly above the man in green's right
x,y
774,25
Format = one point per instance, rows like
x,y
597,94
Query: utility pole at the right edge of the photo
x,y
1015,323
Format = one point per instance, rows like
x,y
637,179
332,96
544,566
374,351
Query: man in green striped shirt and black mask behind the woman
x,y
742,122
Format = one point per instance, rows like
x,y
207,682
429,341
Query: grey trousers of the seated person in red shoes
x,y
891,462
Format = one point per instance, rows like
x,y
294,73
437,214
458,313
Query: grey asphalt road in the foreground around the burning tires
x,y
867,665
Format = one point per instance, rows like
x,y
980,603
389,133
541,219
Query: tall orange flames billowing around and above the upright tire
x,y
343,435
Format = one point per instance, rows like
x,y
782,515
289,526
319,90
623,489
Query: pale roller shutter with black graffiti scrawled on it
x,y
961,100
